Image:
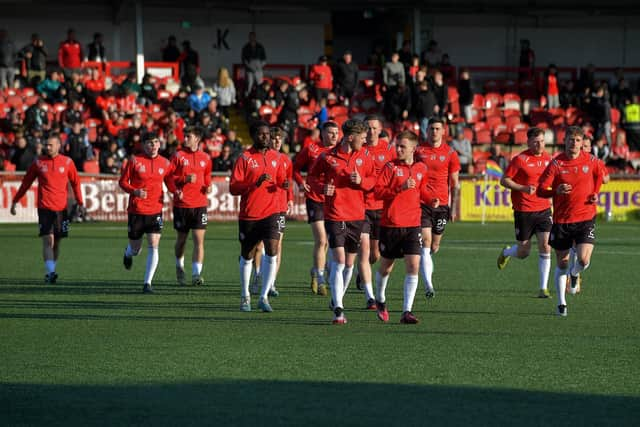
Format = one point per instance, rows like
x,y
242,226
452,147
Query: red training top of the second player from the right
x,y
525,169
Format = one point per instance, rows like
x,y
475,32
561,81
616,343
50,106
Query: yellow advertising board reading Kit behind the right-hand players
x,y
489,201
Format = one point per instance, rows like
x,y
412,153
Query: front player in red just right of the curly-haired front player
x,y
400,236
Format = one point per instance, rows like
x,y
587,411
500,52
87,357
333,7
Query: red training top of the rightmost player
x,y
584,174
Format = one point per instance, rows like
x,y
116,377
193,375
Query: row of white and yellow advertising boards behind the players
x,y
480,200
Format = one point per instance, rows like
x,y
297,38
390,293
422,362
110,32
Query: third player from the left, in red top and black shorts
x,y
192,178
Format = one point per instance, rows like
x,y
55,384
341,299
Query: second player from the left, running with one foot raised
x,y
142,179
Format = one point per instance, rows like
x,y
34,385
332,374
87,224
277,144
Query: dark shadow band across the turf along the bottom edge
x,y
257,403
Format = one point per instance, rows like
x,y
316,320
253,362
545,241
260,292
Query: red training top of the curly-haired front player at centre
x,y
347,202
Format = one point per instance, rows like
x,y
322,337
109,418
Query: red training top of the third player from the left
x,y
194,194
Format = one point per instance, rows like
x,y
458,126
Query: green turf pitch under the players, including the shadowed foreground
x,y
92,350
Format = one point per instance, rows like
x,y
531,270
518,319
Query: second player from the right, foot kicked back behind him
x,y
532,214
